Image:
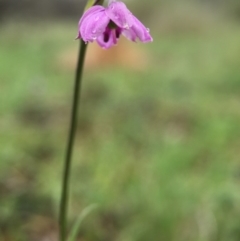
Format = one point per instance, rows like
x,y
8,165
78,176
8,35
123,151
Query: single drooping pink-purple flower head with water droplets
x,y
105,25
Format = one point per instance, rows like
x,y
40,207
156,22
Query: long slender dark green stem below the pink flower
x,y
67,164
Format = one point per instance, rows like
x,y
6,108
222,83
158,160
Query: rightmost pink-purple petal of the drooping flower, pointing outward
x,y
138,30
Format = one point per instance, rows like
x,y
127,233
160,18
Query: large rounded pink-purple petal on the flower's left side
x,y
93,23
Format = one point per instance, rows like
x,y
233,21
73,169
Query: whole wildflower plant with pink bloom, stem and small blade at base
x,y
104,25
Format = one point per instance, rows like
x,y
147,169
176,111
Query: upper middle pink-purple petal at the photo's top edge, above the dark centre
x,y
119,14
